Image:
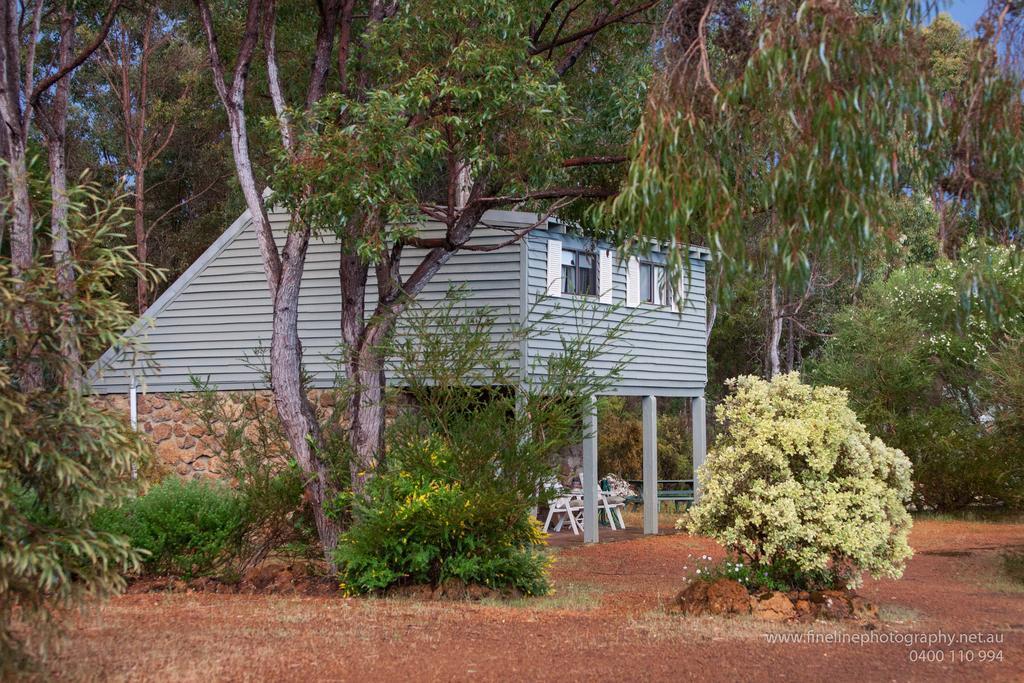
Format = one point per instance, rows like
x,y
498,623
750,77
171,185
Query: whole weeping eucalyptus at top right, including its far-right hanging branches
x,y
779,133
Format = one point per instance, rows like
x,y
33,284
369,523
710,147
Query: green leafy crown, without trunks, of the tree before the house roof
x,y
441,93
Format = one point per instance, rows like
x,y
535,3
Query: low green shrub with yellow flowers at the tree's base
x,y
419,525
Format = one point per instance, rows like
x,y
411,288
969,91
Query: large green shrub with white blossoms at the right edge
x,y
916,358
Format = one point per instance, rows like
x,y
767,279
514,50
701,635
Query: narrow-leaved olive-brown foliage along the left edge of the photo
x,y
62,456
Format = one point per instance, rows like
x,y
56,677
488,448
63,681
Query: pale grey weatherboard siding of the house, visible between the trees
x,y
211,322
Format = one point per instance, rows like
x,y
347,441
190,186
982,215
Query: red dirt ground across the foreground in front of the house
x,y
607,622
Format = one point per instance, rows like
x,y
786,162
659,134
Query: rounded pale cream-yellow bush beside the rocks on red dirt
x,y
796,484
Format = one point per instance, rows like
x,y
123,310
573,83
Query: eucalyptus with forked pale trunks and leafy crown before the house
x,y
436,110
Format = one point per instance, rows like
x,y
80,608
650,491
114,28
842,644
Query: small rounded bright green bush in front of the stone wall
x,y
187,529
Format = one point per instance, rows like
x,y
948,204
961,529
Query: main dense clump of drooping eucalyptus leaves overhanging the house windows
x,y
789,127
